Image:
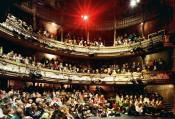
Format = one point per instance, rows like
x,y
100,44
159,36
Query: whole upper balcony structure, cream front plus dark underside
x,y
11,31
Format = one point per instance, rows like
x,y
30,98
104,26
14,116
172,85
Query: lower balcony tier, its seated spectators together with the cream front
x,y
54,70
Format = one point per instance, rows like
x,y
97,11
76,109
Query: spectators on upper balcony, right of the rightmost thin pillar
x,y
127,39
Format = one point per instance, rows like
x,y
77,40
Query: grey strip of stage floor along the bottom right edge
x,y
131,117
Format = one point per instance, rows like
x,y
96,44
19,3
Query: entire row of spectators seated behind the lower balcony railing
x,y
54,64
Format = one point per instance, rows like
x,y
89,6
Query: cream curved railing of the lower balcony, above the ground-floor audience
x,y
12,68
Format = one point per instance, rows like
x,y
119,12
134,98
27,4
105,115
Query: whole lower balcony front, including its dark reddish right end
x,y
30,73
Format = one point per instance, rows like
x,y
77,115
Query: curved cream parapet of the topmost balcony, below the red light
x,y
57,46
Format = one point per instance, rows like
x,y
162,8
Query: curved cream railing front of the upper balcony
x,y
61,46
